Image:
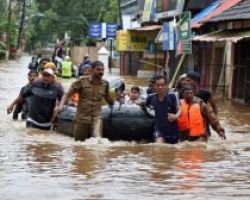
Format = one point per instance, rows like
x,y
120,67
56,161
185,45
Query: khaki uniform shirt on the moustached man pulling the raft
x,y
90,98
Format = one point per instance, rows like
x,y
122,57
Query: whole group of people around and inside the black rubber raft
x,y
181,113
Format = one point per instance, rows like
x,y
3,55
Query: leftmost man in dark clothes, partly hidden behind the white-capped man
x,y
22,106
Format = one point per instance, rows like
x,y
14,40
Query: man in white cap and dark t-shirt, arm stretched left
x,y
43,94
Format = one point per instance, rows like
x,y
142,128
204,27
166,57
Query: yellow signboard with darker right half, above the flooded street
x,y
131,41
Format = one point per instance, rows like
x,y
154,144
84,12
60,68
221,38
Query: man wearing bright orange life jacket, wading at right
x,y
195,114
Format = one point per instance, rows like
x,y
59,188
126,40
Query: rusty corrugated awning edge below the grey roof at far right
x,y
222,36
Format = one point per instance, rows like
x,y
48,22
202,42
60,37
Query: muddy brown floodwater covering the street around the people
x,y
47,165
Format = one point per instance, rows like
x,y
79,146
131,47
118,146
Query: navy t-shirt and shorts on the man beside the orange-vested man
x,y
164,128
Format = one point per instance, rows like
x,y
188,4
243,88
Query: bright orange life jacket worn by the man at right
x,y
191,119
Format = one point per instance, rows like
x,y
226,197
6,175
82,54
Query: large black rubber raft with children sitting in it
x,y
124,123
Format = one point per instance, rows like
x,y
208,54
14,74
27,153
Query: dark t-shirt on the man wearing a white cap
x,y
42,100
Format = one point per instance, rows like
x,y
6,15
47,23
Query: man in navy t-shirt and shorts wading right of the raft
x,y
167,110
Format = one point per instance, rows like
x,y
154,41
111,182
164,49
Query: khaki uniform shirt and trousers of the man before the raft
x,y
88,119
